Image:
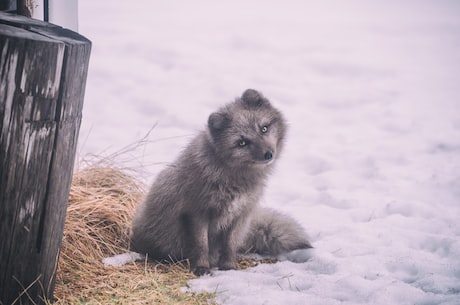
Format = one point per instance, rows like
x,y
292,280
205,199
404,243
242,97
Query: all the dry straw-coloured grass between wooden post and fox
x,y
101,205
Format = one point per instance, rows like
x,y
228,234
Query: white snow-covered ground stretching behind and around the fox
x,y
372,95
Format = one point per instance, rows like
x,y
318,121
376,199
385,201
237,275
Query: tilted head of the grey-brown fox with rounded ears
x,y
249,131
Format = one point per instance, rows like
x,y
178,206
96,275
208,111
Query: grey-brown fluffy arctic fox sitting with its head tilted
x,y
204,206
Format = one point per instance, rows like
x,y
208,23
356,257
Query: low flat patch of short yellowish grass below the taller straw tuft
x,y
133,284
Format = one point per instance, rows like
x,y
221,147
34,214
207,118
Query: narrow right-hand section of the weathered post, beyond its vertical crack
x,y
71,96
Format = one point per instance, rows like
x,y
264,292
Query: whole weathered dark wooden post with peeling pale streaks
x,y
43,71
